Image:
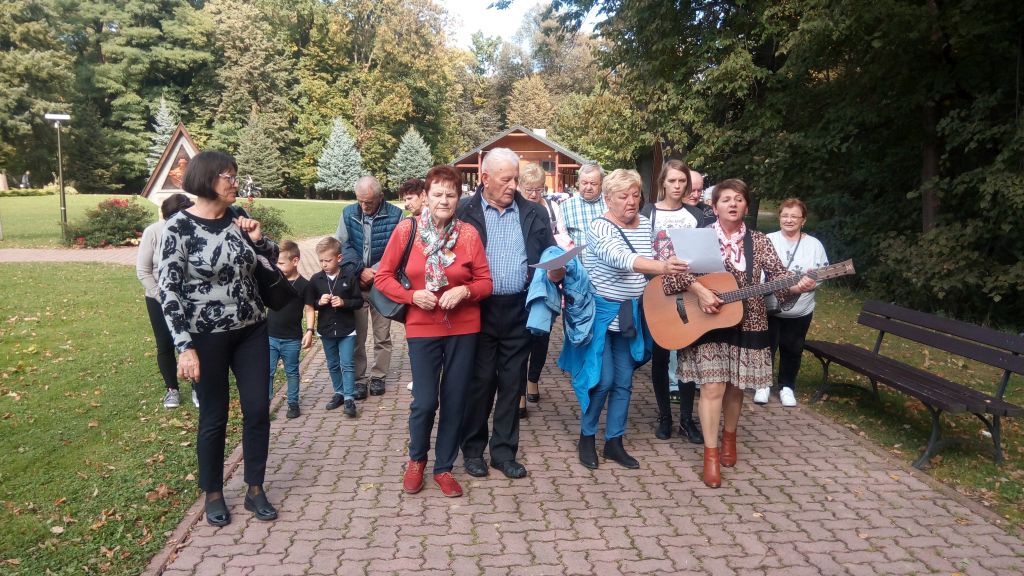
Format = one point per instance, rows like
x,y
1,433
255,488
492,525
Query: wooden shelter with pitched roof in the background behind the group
x,y
561,164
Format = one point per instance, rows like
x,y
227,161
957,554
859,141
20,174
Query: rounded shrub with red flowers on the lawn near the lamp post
x,y
112,223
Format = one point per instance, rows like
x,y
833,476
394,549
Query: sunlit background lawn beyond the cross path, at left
x,y
35,223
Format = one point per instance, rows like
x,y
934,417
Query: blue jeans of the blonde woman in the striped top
x,y
616,387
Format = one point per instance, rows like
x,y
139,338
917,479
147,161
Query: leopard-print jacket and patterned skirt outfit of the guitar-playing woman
x,y
740,355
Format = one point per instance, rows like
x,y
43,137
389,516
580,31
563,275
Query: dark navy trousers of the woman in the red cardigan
x,y
443,371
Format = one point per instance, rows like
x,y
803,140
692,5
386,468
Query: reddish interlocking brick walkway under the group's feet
x,y
807,498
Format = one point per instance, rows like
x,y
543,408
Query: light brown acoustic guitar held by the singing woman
x,y
677,321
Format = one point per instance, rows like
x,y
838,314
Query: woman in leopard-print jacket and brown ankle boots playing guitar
x,y
729,360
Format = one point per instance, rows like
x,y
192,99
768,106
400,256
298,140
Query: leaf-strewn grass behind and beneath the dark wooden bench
x,y
902,425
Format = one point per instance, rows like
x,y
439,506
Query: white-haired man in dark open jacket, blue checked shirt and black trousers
x,y
516,232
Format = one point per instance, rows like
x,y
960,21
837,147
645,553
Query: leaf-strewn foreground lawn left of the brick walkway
x,y
95,471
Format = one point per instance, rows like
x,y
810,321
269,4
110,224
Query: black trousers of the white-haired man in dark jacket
x,y
499,380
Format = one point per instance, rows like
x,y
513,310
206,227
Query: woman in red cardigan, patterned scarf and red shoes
x,y
448,270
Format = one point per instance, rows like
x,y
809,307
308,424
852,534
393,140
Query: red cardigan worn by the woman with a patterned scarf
x,y
471,270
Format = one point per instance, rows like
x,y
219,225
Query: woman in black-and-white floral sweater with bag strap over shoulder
x,y
212,306
